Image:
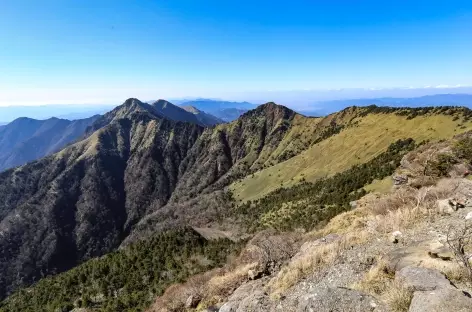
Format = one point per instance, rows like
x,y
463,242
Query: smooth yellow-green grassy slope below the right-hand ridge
x,y
354,145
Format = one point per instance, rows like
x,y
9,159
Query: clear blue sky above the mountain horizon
x,y
103,51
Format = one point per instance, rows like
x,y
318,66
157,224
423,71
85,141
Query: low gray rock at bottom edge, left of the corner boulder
x,y
339,300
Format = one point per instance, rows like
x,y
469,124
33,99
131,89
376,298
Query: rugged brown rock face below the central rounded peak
x,y
228,151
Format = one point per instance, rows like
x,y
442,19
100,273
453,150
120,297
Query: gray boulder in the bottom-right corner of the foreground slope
x,y
440,300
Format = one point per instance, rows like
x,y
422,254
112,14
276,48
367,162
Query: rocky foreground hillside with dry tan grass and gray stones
x,y
400,251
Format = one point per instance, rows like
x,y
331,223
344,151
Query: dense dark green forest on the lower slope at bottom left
x,y
125,280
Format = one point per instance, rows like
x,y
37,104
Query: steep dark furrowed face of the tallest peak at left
x,y
83,201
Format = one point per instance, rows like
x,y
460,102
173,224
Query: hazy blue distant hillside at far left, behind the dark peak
x,y
27,139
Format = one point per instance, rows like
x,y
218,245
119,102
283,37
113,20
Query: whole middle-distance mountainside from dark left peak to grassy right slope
x,y
137,173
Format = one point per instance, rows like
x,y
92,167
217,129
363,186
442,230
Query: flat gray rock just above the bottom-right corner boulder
x,y
421,279
